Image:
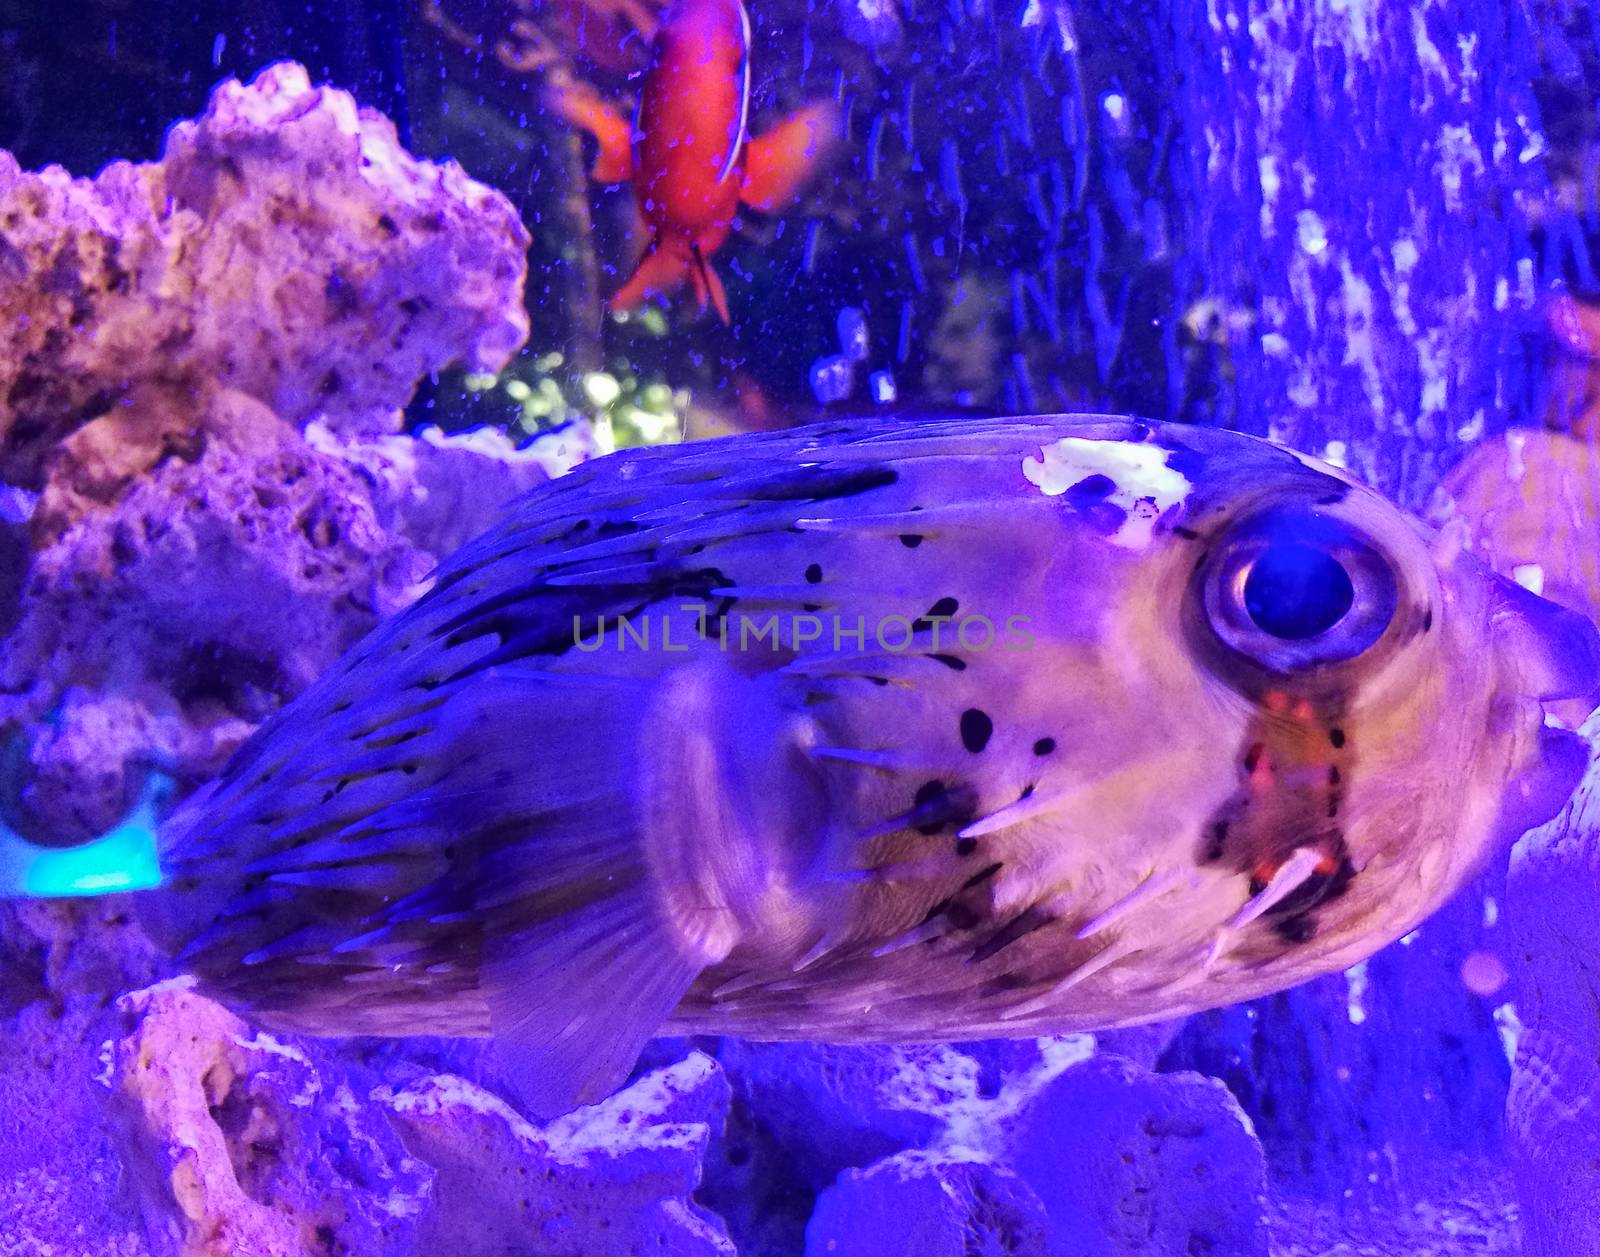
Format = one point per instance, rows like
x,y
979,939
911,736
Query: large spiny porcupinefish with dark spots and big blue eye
x,y
881,733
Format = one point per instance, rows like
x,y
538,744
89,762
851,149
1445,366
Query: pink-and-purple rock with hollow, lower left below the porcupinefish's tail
x,y
239,1144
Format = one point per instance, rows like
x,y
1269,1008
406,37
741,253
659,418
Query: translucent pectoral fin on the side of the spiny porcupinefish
x,y
602,917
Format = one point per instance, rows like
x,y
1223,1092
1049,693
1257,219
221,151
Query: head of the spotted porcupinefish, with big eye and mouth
x,y
1353,720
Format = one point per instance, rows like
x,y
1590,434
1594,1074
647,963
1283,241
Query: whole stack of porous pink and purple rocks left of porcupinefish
x,y
166,333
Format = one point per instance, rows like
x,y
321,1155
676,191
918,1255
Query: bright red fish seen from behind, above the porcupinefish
x,y
689,151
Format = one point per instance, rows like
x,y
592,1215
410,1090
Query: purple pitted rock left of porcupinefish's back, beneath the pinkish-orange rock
x,y
142,626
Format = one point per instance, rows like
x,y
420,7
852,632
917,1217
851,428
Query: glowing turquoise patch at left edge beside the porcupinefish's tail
x,y
122,860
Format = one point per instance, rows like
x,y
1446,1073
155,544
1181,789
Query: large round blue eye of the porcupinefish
x,y
1295,591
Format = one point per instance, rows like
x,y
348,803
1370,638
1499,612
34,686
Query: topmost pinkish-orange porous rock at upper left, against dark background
x,y
286,247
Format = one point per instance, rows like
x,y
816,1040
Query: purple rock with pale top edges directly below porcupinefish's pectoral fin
x,y
610,1181
